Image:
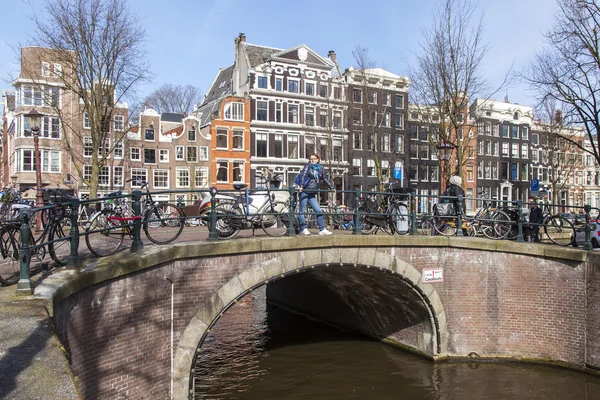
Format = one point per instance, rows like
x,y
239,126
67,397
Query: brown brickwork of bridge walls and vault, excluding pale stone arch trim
x,y
117,336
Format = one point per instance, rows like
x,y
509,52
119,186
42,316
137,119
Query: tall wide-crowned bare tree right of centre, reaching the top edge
x,y
447,75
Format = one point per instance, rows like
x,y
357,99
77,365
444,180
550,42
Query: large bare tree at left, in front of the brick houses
x,y
99,45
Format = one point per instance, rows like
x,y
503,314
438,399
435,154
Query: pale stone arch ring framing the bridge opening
x,y
294,263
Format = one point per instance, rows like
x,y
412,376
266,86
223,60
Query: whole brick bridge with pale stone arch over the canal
x,y
498,299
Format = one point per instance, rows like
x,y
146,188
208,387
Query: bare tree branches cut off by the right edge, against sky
x,y
568,70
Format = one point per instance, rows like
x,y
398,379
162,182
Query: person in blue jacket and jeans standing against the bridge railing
x,y
309,180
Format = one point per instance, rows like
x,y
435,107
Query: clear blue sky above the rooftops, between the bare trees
x,y
189,40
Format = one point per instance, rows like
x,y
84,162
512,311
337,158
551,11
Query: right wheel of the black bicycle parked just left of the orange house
x,y
163,223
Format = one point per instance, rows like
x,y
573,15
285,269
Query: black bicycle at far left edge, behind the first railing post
x,y
54,239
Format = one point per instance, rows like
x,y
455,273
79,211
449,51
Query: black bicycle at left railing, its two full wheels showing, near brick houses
x,y
162,223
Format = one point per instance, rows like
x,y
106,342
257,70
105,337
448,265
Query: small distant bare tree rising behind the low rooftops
x,y
174,98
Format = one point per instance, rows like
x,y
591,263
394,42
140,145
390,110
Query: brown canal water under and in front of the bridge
x,y
258,351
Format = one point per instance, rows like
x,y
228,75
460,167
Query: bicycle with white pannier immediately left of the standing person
x,y
260,209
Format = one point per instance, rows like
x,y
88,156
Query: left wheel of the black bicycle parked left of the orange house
x,y
102,236
